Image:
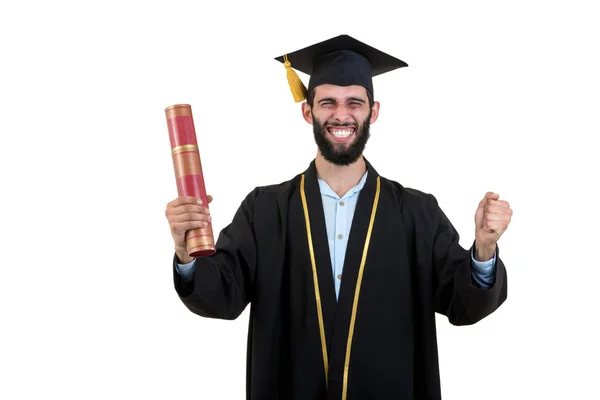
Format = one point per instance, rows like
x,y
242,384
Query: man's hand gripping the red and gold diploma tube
x,y
186,213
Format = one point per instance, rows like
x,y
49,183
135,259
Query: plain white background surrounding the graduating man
x,y
500,97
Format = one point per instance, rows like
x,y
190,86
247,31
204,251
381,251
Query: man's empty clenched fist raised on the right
x,y
491,220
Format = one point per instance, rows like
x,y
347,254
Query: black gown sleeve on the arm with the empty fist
x,y
457,295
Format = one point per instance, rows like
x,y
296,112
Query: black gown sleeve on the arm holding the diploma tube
x,y
222,283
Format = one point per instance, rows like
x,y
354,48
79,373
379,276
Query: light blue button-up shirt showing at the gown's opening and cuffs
x,y
338,220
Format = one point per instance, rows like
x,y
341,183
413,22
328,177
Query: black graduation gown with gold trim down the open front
x,y
414,268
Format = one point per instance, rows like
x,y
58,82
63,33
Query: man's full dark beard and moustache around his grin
x,y
339,153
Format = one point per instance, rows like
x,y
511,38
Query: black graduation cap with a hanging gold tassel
x,y
341,61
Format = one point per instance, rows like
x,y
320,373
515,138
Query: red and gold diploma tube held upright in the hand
x,y
188,173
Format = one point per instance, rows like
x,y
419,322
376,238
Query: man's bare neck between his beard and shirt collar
x,y
340,178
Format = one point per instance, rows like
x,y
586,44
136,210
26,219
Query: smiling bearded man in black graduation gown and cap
x,y
344,269
